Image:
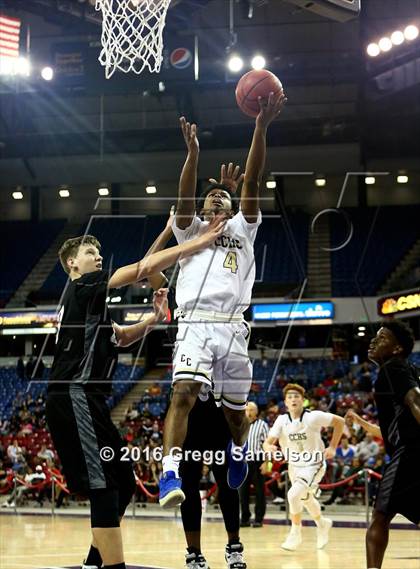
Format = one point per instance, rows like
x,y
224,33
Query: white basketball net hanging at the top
x,y
132,34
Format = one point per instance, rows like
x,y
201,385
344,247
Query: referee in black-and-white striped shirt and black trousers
x,y
258,432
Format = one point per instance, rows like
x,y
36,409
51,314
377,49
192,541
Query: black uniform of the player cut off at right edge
x,y
399,490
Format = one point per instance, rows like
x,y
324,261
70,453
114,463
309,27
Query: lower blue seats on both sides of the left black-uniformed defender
x,y
11,387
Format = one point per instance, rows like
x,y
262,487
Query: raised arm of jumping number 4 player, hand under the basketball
x,y
255,163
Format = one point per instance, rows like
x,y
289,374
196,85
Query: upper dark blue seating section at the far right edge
x,y
380,239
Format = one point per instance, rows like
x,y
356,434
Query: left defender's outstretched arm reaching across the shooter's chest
x,y
163,259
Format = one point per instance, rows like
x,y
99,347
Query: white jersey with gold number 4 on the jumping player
x,y
219,278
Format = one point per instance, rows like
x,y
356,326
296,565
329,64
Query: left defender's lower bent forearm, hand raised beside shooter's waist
x,y
127,335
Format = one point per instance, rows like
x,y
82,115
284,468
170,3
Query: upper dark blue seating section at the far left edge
x,y
23,243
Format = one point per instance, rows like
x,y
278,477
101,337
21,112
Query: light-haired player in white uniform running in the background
x,y
298,433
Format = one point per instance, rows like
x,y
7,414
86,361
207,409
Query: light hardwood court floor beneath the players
x,y
35,542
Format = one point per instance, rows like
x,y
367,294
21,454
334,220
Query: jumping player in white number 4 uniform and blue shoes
x,y
213,291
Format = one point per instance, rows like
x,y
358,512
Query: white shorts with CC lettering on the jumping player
x,y
215,354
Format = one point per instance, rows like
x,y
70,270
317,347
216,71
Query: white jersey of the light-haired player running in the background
x,y
300,439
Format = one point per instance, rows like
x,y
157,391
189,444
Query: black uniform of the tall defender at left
x,y
81,379
